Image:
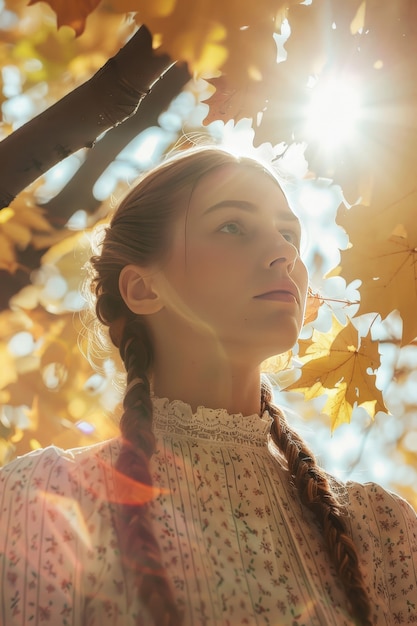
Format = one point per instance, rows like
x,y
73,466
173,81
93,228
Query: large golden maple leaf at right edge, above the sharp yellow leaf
x,y
383,255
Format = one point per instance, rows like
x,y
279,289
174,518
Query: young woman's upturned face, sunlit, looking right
x,y
235,263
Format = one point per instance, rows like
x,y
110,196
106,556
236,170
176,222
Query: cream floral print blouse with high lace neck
x,y
238,547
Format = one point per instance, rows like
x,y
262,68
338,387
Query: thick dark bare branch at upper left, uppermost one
x,y
112,95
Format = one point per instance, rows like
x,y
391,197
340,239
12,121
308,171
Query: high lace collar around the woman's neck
x,y
178,418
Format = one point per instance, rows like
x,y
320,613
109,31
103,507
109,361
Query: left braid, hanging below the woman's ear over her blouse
x,y
140,548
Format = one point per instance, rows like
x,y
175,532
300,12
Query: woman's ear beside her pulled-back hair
x,y
137,289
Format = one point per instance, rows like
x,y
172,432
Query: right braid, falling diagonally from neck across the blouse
x,y
315,493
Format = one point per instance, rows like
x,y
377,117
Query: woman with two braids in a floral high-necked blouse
x,y
209,510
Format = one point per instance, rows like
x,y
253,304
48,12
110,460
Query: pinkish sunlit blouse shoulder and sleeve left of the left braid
x,y
56,532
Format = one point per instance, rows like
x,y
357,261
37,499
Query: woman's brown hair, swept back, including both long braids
x,y
139,234
